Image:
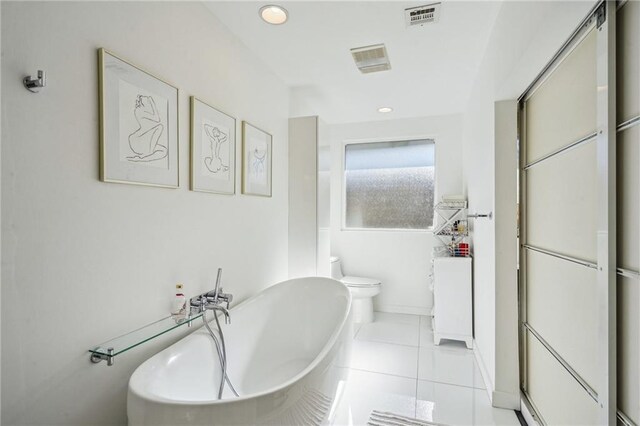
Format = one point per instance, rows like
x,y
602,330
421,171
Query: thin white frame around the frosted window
x,y
343,181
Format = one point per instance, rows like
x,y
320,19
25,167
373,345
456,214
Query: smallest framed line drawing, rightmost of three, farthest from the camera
x,y
256,161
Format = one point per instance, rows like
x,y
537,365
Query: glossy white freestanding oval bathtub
x,y
286,347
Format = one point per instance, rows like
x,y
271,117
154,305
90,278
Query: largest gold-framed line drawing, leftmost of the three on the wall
x,y
138,125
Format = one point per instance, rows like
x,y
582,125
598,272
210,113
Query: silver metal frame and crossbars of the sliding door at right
x,y
602,17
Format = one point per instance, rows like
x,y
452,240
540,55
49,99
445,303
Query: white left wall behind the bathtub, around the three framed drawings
x,y
85,261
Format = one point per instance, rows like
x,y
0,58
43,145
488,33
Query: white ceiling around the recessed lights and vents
x,y
432,67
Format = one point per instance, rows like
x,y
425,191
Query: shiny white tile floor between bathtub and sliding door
x,y
396,367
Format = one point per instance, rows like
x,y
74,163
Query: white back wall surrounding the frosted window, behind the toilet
x,y
400,259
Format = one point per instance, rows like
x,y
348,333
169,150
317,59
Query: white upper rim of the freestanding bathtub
x,y
329,345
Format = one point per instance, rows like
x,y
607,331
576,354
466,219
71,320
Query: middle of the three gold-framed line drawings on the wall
x,y
213,149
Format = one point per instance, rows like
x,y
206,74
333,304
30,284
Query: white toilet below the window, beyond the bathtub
x,y
362,292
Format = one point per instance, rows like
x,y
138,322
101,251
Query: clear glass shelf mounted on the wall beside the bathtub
x,y
108,350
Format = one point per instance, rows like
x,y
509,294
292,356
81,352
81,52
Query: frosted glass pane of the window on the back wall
x,y
390,185
